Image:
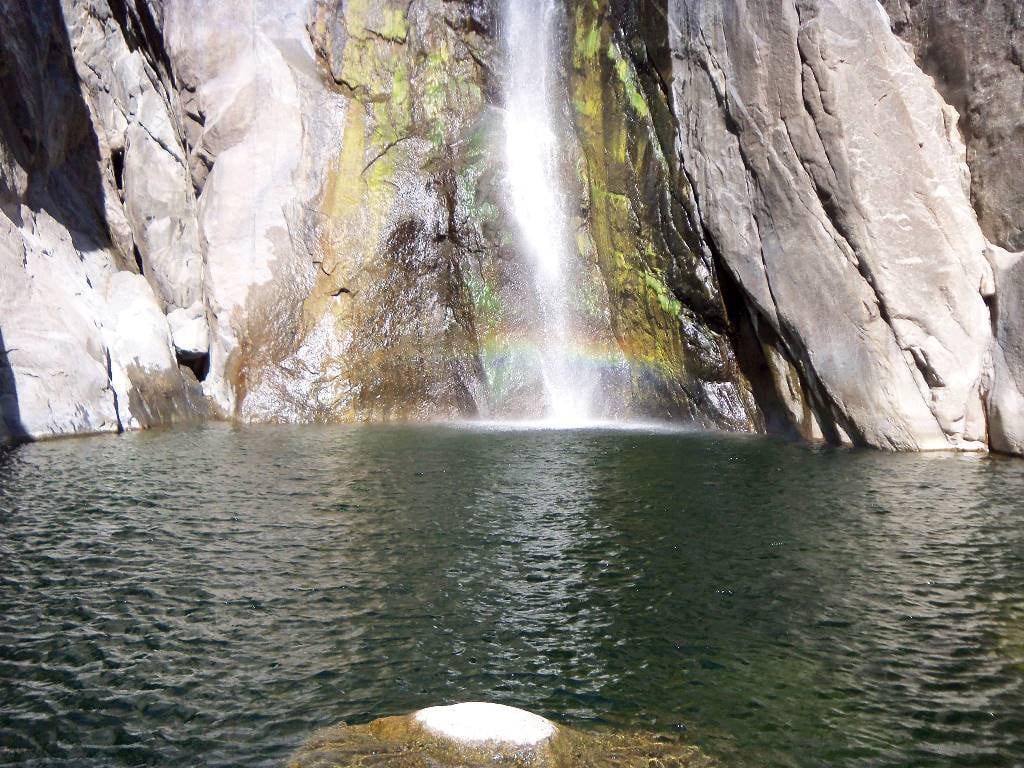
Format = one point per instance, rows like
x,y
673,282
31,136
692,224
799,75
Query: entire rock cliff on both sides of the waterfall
x,y
790,220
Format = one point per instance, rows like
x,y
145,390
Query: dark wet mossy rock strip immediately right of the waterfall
x,y
667,312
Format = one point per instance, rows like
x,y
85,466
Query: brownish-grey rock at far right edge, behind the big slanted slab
x,y
975,53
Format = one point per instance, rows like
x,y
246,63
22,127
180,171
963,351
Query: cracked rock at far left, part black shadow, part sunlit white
x,y
88,148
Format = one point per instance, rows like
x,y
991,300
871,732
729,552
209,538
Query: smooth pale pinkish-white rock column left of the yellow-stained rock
x,y
259,122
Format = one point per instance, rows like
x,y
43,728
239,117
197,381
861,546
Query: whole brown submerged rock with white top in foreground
x,y
485,735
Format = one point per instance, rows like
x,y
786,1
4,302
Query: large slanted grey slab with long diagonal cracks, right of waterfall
x,y
832,187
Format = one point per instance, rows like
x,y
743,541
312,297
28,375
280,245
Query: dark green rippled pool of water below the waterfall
x,y
210,598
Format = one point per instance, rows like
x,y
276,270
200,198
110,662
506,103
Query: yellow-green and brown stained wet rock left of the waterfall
x,y
398,231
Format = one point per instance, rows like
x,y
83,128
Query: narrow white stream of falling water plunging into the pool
x,y
532,155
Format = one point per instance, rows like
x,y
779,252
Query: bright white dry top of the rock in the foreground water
x,y
477,722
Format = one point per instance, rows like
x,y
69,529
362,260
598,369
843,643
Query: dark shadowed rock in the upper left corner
x,y
46,124
